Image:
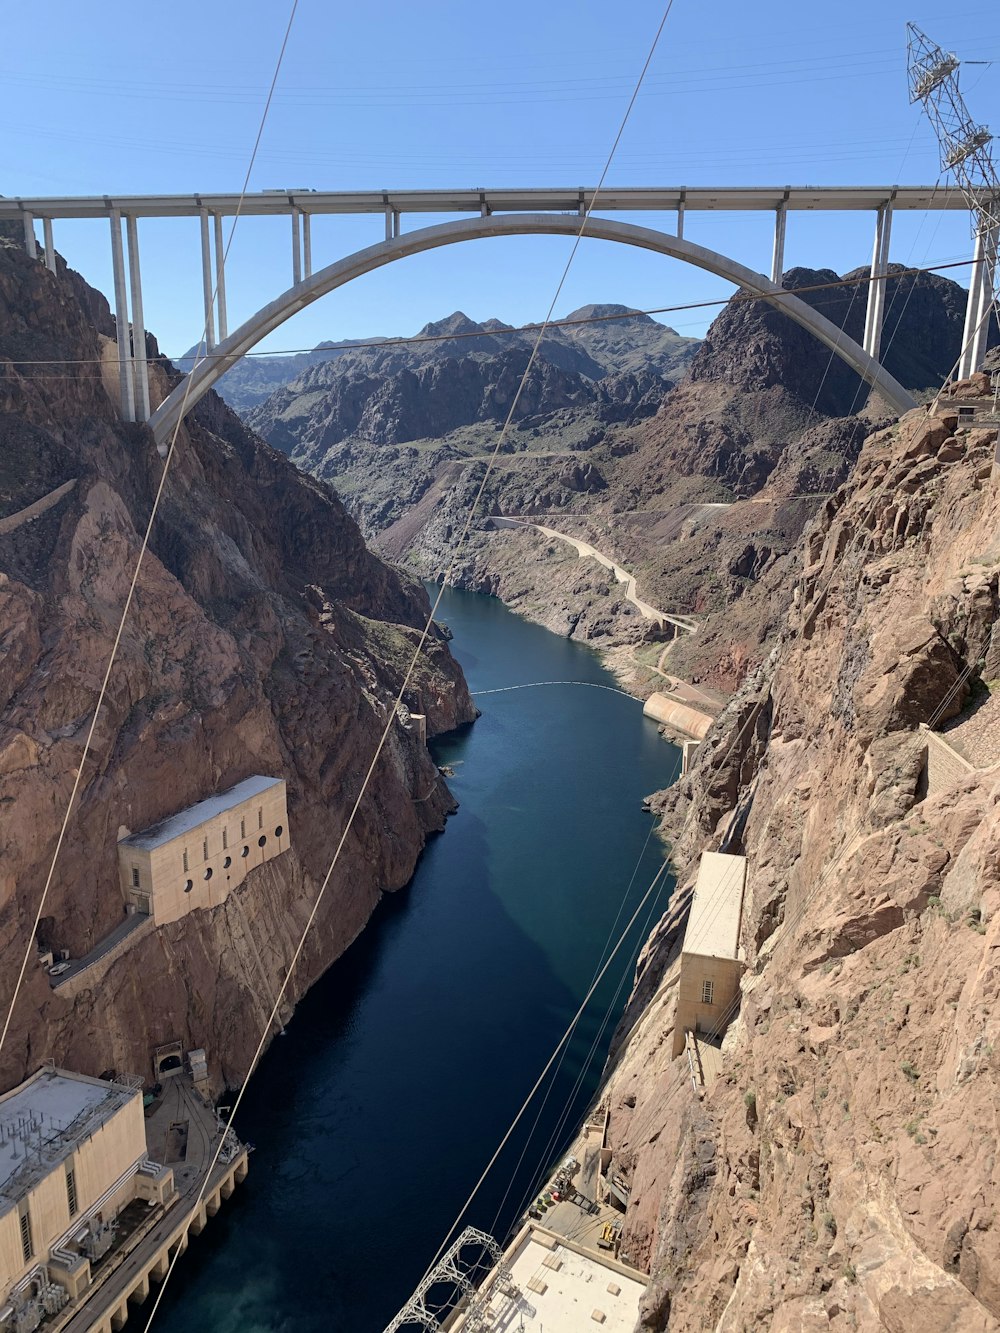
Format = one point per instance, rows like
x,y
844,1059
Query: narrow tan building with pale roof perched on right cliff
x,y
711,962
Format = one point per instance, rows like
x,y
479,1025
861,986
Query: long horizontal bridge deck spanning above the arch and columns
x,y
670,199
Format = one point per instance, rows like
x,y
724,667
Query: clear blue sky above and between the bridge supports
x,y
133,98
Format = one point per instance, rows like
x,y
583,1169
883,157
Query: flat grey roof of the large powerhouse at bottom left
x,y
43,1120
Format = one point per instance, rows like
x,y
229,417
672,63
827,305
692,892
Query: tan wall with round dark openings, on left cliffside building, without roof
x,y
233,843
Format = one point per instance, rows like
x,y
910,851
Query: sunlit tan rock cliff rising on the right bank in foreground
x,y
843,1172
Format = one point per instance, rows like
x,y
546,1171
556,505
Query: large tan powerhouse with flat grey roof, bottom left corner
x,y
73,1156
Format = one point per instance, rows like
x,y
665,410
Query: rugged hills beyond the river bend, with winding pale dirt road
x,y
702,490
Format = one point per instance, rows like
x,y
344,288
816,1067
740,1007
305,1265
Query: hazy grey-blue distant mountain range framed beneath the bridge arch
x,y
458,374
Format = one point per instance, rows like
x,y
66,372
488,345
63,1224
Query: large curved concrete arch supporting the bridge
x,y
271,317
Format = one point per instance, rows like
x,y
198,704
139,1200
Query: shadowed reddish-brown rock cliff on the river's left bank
x,y
263,638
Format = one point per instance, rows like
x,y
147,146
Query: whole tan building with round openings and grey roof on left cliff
x,y
194,859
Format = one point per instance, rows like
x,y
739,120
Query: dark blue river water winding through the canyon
x,y
403,1068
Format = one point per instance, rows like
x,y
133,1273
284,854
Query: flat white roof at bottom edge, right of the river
x,y
575,1284
